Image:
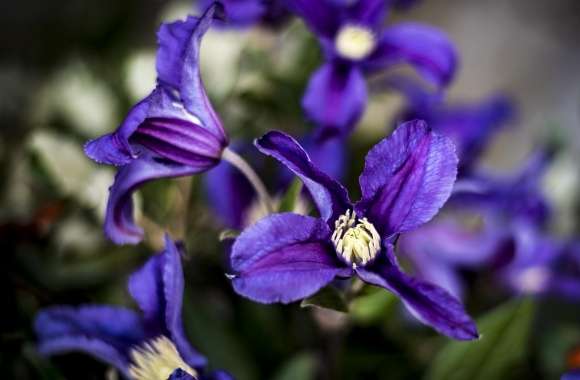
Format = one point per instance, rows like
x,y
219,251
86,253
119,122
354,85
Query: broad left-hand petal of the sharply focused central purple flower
x,y
284,258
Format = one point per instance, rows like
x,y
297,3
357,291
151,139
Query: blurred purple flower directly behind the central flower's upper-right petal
x,y
470,125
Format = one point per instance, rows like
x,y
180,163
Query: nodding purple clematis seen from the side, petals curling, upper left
x,y
172,132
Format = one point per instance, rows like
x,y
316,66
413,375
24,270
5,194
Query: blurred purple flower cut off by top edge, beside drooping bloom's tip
x,y
244,13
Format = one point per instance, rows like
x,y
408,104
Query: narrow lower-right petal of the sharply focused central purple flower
x,y
429,303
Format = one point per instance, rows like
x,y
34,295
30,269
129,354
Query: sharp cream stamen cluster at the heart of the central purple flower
x,y
356,240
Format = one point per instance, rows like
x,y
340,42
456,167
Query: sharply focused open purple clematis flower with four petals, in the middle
x,y
407,178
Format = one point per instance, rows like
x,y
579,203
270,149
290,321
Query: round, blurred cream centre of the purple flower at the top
x,y
354,42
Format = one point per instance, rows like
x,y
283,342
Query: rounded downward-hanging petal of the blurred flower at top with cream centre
x,y
335,97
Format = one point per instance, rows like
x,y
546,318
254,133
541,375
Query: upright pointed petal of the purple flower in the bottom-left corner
x,y
158,290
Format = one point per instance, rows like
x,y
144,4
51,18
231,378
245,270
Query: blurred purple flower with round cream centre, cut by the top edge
x,y
356,44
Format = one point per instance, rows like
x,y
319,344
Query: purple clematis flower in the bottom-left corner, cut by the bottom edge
x,y
152,345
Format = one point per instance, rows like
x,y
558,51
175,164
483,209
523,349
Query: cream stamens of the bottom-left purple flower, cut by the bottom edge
x,y
156,360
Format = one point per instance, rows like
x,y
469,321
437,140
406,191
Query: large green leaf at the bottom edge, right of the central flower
x,y
503,343
